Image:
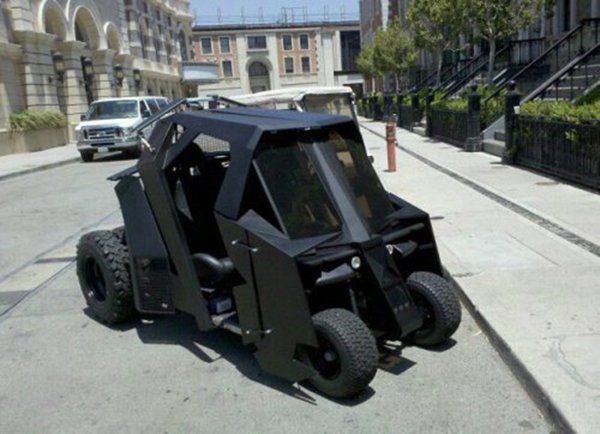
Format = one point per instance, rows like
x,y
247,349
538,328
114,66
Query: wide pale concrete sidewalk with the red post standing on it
x,y
525,251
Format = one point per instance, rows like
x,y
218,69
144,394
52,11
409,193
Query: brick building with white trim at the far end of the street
x,y
253,58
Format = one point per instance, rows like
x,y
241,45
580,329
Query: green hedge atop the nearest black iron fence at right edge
x,y
563,110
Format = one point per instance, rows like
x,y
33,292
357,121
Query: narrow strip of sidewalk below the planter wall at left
x,y
18,164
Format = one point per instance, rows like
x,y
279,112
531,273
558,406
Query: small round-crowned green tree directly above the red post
x,y
394,51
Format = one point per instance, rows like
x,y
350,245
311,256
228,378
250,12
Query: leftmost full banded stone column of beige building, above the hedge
x,y
39,79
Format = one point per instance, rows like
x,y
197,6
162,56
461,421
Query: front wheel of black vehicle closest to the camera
x,y
346,359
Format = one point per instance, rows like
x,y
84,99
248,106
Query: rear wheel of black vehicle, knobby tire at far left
x,y
103,271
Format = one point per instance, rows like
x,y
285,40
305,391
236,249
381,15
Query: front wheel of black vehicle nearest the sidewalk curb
x,y
440,307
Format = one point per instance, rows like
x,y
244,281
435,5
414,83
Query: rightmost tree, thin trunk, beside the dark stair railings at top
x,y
499,19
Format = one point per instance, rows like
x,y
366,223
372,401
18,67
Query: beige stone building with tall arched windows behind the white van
x,y
62,54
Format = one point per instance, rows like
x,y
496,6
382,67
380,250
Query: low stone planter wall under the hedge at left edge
x,y
14,142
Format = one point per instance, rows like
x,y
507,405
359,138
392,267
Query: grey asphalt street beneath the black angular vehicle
x,y
62,371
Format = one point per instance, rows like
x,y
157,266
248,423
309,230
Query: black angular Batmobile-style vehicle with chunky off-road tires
x,y
275,226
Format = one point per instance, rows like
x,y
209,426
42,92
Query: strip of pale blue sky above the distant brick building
x,y
207,11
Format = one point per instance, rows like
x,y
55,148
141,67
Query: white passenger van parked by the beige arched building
x,y
108,125
